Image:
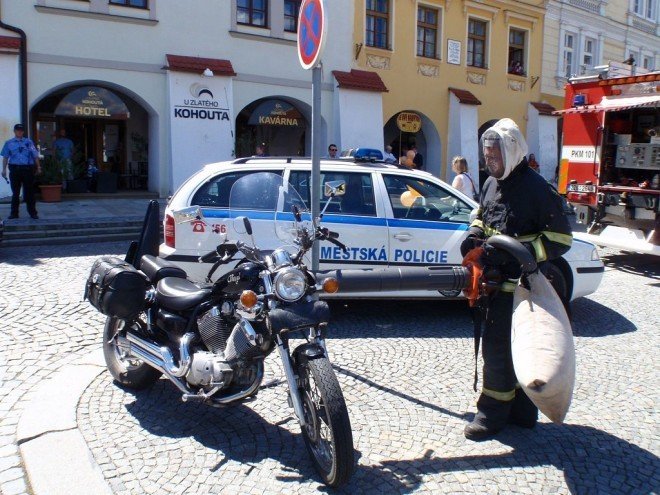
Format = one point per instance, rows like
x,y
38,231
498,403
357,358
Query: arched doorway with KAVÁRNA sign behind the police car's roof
x,y
277,123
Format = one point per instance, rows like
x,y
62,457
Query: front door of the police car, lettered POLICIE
x,y
426,221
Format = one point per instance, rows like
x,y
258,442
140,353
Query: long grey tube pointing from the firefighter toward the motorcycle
x,y
432,278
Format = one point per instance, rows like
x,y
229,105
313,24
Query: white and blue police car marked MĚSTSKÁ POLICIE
x,y
389,216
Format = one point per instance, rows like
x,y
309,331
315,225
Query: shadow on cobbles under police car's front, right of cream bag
x,y
592,319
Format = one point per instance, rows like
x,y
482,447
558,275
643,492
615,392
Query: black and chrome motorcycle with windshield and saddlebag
x,y
211,339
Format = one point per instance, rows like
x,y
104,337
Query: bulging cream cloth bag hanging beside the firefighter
x,y
542,347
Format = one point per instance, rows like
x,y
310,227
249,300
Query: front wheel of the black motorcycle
x,y
327,434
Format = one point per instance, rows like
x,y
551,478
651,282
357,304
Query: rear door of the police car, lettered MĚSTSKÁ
x,y
358,217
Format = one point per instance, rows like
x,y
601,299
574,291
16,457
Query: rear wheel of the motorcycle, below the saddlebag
x,y
125,368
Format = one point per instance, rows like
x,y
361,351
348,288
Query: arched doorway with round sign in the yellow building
x,y
427,141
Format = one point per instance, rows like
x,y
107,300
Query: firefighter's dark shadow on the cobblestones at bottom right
x,y
591,460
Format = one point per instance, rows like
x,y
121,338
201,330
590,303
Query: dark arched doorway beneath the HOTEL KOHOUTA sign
x,y
105,125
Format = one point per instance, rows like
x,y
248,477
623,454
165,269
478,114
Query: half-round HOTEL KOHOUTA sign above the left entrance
x,y
92,102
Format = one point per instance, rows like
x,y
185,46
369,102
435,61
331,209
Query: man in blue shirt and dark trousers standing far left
x,y
22,158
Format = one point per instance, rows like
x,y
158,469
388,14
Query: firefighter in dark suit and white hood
x,y
518,202
